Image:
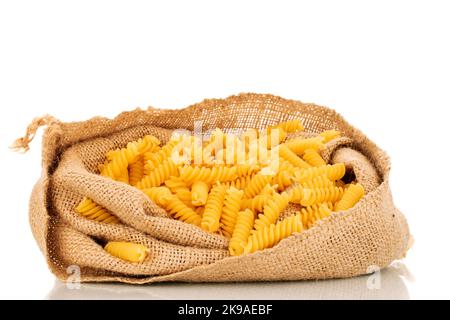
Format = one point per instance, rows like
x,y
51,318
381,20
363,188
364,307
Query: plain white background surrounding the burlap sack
x,y
384,65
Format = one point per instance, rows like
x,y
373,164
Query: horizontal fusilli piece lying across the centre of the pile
x,y
190,174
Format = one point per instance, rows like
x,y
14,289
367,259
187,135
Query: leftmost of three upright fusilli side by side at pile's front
x,y
213,209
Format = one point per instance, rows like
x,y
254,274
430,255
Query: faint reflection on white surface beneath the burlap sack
x,y
387,284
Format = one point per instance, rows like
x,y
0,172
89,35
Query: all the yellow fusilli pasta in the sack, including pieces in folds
x,y
234,184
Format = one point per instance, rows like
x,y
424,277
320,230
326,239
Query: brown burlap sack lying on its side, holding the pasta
x,y
370,235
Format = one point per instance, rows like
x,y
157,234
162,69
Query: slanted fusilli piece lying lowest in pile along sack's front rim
x,y
271,235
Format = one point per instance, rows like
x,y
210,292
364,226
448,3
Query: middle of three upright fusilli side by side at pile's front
x,y
231,207
